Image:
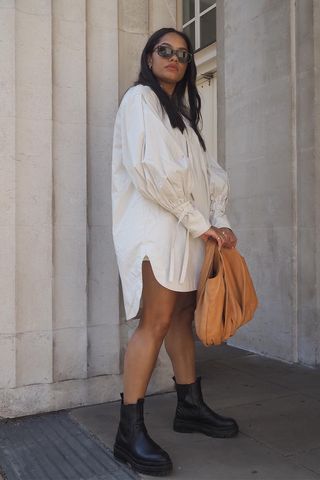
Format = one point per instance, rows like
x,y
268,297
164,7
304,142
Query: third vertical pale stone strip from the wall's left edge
x,y
70,189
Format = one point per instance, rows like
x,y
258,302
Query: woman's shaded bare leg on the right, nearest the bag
x,y
179,341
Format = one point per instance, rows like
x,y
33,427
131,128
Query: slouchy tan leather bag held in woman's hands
x,y
226,298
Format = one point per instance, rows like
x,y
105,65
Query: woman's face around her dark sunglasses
x,y
169,71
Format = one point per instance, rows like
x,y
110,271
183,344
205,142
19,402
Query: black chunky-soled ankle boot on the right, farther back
x,y
193,415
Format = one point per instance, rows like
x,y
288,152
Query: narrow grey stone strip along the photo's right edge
x,y
308,186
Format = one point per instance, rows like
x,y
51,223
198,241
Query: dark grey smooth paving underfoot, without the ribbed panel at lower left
x,y
276,404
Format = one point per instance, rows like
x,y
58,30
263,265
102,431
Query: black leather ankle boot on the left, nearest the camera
x,y
134,446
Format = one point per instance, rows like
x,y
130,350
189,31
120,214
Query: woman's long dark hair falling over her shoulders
x,y
175,106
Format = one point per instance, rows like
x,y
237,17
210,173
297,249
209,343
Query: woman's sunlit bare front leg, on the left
x,y
144,345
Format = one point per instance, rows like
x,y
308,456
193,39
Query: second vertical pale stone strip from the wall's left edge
x,y
33,192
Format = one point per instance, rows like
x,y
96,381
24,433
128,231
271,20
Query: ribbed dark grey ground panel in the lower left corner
x,y
54,446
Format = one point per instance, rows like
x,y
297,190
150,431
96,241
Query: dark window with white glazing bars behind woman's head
x,y
199,22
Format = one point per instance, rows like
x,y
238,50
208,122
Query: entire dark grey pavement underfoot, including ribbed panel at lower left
x,y
277,406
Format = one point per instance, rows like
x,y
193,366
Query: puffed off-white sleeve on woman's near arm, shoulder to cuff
x,y
155,161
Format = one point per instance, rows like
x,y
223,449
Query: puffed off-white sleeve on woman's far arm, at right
x,y
219,191
